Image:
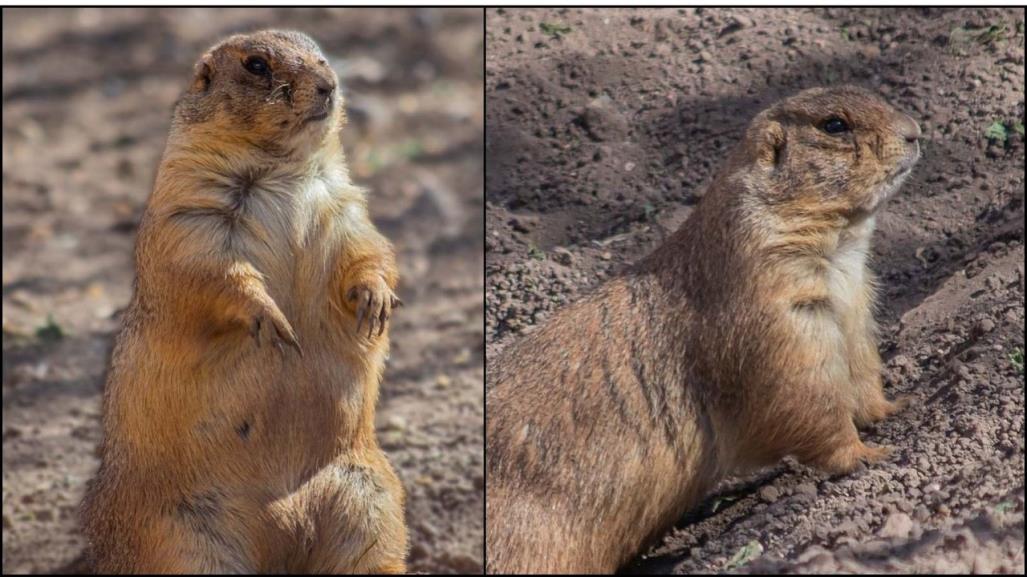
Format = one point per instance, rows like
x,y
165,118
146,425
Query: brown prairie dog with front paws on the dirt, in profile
x,y
748,336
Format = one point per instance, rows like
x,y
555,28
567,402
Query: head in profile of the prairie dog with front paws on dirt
x,y
842,149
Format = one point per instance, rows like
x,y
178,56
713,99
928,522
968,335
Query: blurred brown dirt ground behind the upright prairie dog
x,y
87,105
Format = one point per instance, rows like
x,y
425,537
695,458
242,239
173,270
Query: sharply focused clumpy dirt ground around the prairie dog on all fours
x,y
605,126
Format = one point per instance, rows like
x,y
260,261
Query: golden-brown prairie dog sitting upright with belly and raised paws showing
x,y
240,405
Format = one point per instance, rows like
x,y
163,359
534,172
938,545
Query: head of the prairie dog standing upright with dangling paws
x,y
273,91
